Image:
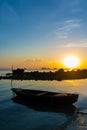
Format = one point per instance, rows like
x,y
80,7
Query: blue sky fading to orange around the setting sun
x,y
41,33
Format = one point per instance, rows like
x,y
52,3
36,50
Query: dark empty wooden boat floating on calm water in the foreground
x,y
45,96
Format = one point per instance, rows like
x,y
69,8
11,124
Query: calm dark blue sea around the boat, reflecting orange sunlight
x,y
16,115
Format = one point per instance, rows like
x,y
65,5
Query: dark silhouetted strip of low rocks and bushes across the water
x,y
36,75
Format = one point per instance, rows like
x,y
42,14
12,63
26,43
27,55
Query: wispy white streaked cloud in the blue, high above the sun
x,y
67,27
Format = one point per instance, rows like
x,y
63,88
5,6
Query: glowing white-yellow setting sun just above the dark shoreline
x,y
71,61
